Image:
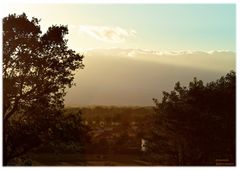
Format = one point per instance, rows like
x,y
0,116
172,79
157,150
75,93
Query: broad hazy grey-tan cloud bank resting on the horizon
x,y
135,80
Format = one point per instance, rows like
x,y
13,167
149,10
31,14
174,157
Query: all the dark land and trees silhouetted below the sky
x,y
192,125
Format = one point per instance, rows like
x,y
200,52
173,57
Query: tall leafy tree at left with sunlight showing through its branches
x,y
37,68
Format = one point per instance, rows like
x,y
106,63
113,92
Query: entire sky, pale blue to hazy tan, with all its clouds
x,y
135,51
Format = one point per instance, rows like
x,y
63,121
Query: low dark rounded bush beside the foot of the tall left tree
x,y
68,134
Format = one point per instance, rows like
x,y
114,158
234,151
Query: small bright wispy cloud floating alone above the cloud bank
x,y
107,34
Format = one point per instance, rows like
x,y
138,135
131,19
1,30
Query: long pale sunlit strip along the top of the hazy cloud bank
x,y
216,60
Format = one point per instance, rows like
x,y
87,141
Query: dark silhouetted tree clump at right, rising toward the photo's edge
x,y
196,125
